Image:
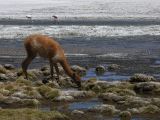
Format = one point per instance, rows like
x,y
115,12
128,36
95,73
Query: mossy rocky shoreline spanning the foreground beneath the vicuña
x,y
138,96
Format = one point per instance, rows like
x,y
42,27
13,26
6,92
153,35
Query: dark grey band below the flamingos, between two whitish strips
x,y
80,21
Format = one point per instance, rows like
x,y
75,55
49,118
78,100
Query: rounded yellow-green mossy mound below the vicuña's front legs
x,y
48,92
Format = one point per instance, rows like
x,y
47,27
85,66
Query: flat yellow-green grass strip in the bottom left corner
x,y
30,114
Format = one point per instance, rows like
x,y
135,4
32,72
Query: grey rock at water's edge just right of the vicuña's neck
x,y
79,70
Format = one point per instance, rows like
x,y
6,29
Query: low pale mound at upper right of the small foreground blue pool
x,y
111,97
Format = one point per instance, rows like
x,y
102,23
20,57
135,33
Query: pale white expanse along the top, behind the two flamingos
x,y
80,8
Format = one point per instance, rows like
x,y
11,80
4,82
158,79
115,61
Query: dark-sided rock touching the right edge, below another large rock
x,y
147,87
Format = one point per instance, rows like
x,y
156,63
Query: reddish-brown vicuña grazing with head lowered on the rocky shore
x,y
47,47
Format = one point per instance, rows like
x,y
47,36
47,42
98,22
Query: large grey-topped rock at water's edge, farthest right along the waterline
x,y
141,78
